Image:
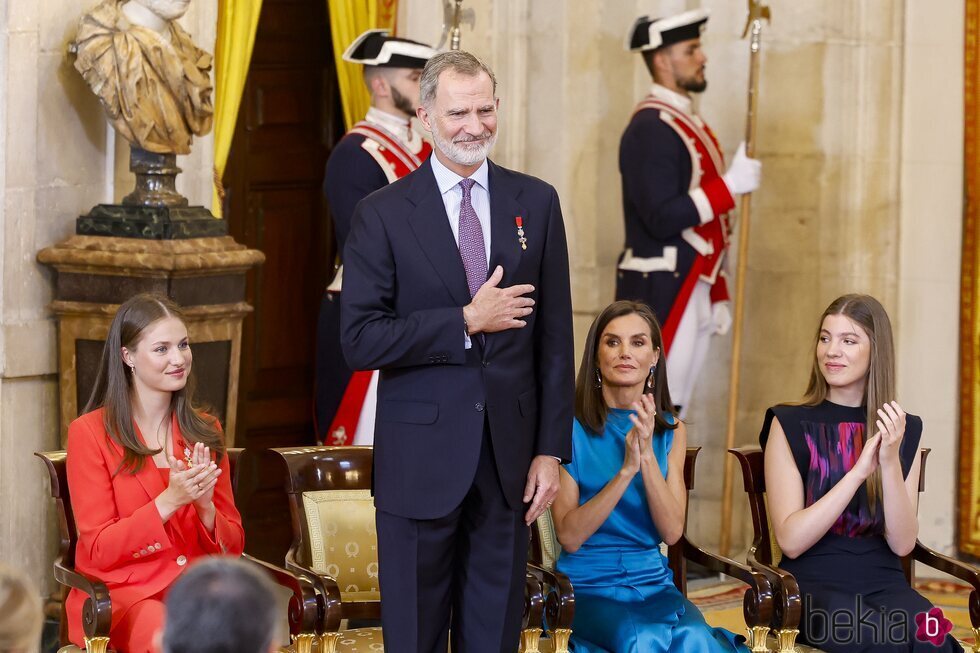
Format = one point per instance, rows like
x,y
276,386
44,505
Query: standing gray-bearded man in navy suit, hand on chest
x,y
457,290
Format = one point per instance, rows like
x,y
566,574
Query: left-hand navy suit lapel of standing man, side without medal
x,y
431,226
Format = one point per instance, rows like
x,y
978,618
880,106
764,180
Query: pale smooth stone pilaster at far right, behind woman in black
x,y
930,228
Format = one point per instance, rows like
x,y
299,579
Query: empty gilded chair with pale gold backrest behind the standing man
x,y
335,546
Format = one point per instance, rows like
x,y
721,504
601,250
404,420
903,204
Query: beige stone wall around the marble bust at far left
x,y
53,166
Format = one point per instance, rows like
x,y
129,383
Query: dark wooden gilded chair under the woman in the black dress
x,y
764,555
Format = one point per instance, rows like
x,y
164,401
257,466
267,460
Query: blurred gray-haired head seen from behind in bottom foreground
x,y
222,604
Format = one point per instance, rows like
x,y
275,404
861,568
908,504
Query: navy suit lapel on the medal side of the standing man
x,y
505,250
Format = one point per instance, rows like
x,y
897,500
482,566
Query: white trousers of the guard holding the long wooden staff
x,y
690,346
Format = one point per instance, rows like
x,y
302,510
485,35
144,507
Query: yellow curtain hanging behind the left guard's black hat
x,y
348,20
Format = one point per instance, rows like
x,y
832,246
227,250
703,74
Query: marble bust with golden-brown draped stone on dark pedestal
x,y
154,83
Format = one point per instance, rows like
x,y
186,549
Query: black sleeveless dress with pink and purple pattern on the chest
x,y
855,595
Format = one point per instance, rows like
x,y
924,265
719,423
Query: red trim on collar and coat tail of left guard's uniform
x,y
396,160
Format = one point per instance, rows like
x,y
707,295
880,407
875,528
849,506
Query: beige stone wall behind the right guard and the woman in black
x,y
859,172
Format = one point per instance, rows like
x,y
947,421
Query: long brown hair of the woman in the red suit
x,y
114,389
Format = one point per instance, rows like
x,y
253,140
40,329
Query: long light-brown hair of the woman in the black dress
x,y
879,387
